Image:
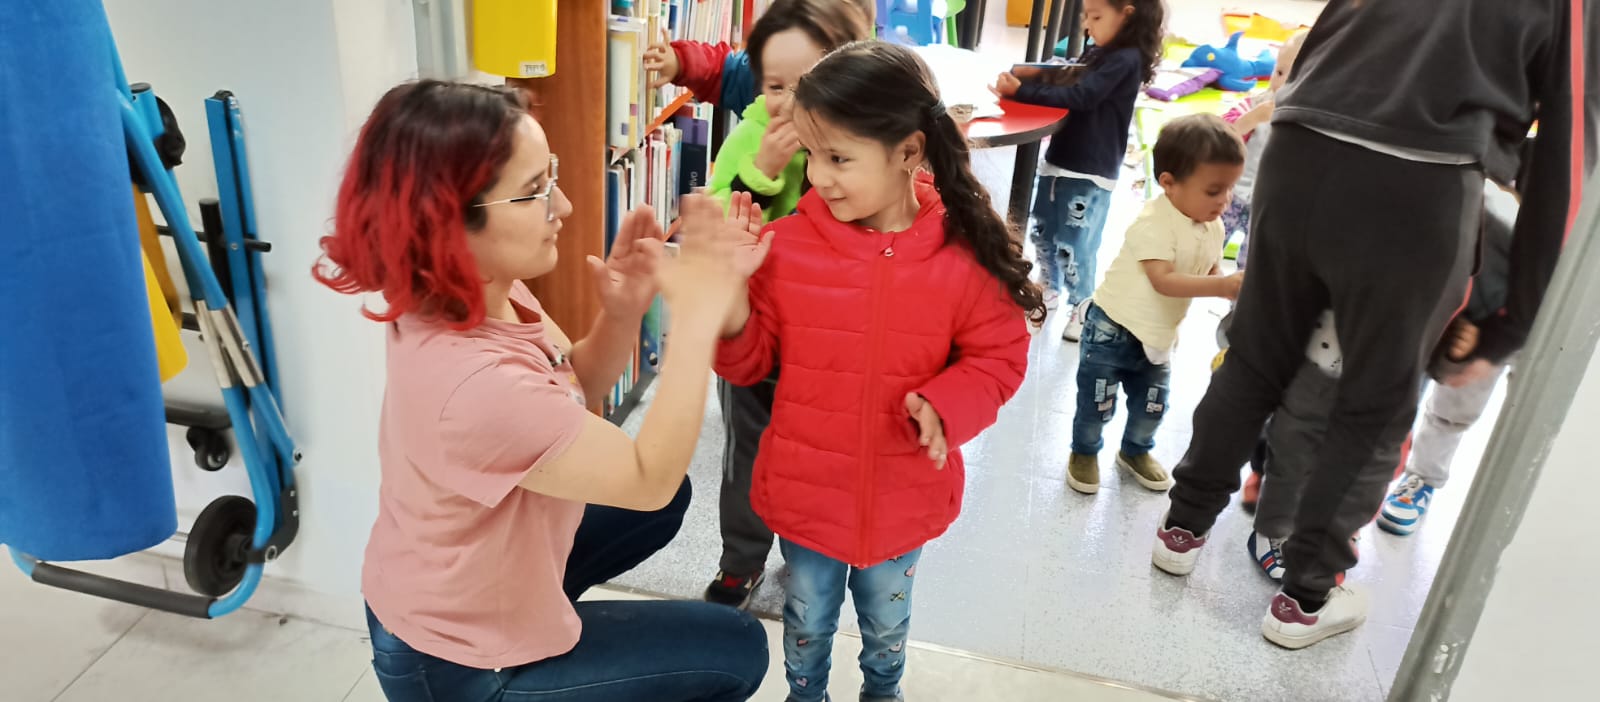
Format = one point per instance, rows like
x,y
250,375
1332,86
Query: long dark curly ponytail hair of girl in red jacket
x,y
884,92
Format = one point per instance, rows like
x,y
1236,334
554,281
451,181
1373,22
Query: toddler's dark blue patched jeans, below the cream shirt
x,y
1111,356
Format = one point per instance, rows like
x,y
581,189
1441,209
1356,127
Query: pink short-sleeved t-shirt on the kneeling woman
x,y
463,564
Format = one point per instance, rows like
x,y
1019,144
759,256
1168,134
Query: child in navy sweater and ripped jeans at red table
x,y
1073,196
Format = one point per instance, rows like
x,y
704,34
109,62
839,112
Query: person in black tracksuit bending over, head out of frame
x,y
1369,205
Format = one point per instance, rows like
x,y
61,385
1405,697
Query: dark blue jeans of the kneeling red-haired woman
x,y
668,652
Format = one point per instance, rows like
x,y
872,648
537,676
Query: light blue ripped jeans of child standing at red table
x,y
1070,215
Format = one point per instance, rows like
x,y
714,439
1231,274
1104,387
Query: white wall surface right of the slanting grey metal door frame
x,y
1540,628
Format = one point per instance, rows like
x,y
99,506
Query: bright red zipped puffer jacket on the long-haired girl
x,y
858,321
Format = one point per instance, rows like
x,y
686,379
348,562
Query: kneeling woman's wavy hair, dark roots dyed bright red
x,y
426,154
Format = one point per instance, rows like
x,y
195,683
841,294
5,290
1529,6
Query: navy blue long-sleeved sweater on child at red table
x,y
1095,137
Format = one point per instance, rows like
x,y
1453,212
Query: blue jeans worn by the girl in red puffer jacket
x,y
817,589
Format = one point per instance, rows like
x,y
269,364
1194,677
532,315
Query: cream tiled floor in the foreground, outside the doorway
x,y
63,647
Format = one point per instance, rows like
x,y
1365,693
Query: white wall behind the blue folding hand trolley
x,y
306,74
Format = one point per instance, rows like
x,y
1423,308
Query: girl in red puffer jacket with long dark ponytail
x,y
897,305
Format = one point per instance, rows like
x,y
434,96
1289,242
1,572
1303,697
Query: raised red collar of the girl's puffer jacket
x,y
919,242
